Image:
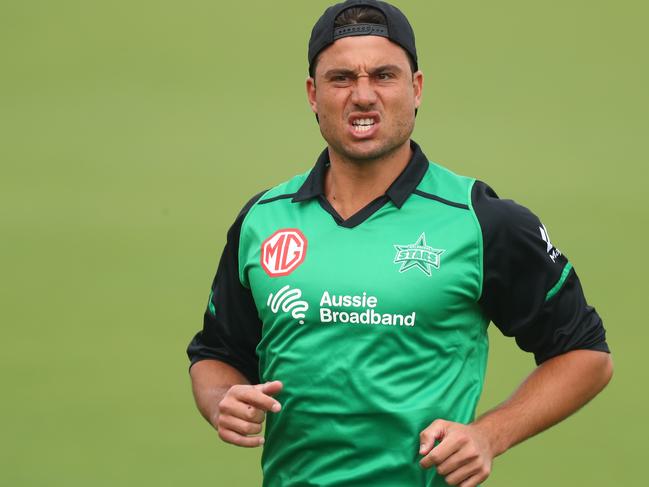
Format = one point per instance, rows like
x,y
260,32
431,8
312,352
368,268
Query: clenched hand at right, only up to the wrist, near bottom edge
x,y
463,455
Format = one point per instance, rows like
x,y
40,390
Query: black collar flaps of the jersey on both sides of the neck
x,y
398,192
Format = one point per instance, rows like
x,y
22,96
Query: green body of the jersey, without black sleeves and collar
x,y
357,395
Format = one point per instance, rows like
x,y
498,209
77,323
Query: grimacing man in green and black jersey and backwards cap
x,y
351,302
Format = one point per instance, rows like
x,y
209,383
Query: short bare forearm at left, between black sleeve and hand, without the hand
x,y
211,380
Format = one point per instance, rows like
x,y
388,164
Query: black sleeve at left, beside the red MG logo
x,y
231,325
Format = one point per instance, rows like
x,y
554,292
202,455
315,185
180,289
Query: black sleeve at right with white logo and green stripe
x,y
530,290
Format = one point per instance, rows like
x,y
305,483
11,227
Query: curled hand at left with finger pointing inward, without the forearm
x,y
243,409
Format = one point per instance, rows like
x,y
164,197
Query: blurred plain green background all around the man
x,y
132,133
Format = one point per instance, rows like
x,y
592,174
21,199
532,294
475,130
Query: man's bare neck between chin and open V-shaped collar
x,y
351,184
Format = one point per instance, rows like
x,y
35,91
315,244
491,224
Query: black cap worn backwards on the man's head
x,y
398,28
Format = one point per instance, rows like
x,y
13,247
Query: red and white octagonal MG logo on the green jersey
x,y
283,252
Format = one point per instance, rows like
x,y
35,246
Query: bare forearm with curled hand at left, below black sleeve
x,y
234,407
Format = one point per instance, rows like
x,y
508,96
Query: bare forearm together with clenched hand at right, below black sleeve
x,y
552,392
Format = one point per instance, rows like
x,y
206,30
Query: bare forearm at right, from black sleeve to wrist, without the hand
x,y
553,391
